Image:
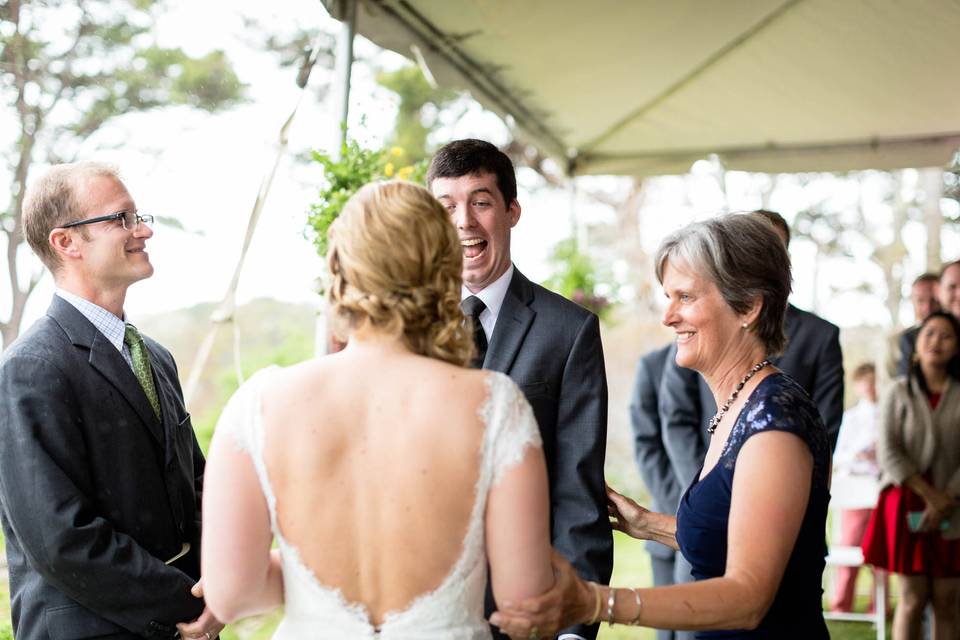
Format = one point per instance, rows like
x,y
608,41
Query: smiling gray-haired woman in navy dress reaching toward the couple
x,y
752,522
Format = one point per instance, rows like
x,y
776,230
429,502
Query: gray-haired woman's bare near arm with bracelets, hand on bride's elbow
x,y
764,522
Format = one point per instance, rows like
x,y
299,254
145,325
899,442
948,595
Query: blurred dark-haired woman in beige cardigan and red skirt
x,y
915,529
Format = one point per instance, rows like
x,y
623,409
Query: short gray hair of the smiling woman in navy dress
x,y
745,258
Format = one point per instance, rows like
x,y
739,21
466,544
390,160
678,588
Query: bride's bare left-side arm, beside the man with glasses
x,y
241,575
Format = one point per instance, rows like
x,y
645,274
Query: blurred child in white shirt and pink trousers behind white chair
x,y
855,457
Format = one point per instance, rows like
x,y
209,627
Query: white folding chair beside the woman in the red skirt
x,y
856,492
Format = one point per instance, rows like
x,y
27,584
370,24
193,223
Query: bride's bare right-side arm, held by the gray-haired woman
x,y
518,530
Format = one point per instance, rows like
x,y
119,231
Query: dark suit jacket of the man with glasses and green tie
x,y
96,493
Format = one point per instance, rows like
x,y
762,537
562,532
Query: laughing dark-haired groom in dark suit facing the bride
x,y
548,345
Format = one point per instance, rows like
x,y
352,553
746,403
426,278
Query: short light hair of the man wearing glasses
x,y
56,198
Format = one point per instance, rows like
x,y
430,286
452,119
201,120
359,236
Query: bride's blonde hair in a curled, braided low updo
x,y
396,263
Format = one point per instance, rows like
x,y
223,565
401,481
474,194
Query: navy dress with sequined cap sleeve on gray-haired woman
x,y
777,404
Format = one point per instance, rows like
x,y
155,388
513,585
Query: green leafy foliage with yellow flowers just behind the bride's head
x,y
345,176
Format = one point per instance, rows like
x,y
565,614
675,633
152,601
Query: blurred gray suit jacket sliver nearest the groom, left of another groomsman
x,y
648,445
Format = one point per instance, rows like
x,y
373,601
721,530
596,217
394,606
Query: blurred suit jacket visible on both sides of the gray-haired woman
x,y
812,358
